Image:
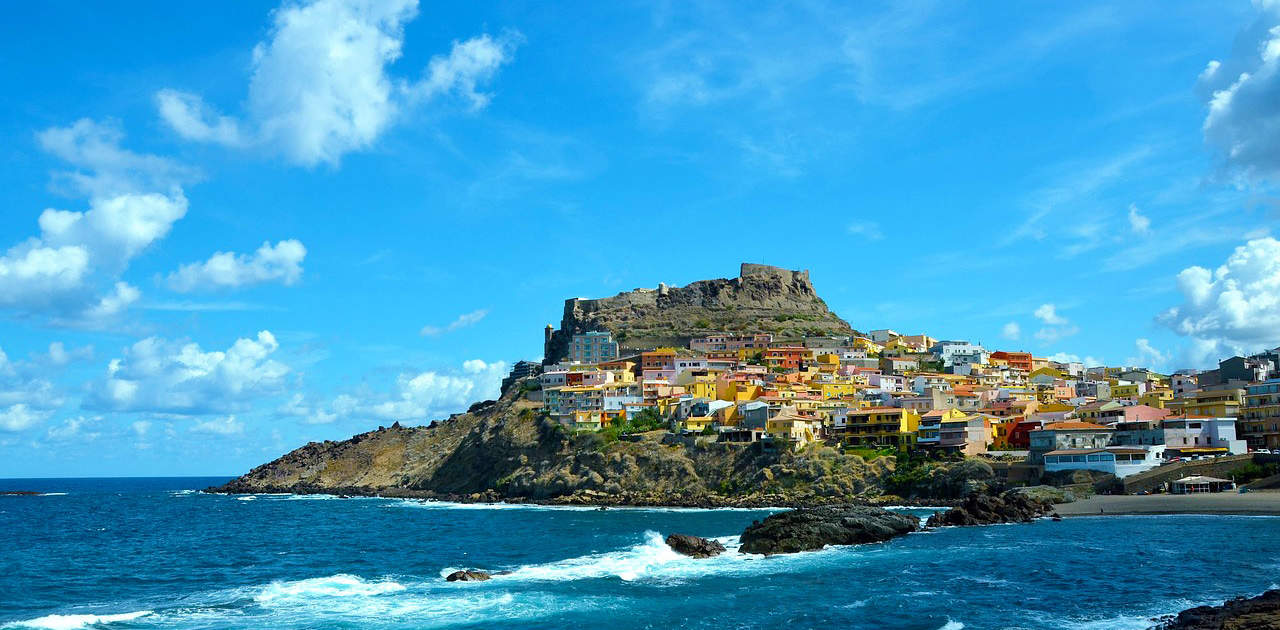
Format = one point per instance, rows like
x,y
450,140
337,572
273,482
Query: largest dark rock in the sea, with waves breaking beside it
x,y
815,528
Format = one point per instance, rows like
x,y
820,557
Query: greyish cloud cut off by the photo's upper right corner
x,y
1244,97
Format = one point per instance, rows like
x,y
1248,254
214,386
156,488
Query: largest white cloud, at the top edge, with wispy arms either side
x,y
319,85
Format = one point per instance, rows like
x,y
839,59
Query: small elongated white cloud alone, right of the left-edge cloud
x,y
271,263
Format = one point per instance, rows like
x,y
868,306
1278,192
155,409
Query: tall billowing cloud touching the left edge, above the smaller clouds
x,y
71,270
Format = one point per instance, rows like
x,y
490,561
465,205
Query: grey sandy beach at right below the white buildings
x,y
1226,503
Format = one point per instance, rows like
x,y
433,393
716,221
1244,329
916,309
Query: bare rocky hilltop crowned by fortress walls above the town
x,y
761,300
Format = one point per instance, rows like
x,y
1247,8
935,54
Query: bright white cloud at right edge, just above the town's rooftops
x,y
1236,308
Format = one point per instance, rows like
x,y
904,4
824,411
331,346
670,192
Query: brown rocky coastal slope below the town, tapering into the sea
x,y
511,451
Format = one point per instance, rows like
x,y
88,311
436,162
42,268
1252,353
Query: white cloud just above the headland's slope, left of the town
x,y
432,394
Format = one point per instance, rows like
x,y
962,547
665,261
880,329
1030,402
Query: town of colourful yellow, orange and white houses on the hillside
x,y
892,394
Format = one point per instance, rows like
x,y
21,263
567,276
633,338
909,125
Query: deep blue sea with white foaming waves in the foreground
x,y
159,554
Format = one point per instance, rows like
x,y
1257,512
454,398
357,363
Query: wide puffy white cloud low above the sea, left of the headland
x,y
173,377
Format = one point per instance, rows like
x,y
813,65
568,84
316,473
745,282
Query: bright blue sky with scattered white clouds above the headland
x,y
232,229
